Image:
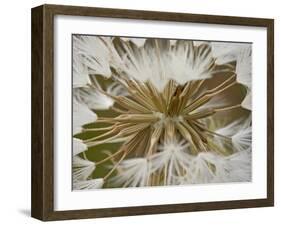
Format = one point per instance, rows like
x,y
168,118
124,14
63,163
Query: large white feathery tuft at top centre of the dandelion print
x,y
157,61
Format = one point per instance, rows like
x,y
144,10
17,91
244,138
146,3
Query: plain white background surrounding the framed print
x,y
15,113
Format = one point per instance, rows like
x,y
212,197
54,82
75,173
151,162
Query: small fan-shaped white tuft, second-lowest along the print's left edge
x,y
82,168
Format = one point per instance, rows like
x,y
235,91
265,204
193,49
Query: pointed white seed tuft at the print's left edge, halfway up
x,y
81,115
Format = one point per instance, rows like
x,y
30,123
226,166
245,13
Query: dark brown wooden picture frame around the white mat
x,y
43,109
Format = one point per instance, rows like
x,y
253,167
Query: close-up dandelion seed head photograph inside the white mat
x,y
160,112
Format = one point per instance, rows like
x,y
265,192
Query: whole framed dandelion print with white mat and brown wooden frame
x,y
141,112
